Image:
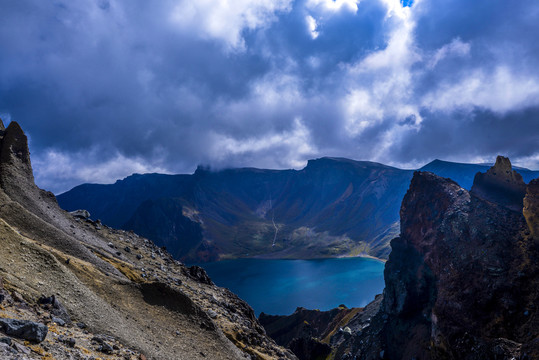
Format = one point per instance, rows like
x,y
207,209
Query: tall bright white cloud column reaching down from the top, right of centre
x,y
379,85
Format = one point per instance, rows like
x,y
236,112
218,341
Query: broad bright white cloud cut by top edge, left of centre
x,y
224,19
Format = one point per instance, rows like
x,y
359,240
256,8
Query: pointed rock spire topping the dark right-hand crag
x,y
501,184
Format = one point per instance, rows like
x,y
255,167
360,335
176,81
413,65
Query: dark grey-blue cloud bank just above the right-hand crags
x,y
463,134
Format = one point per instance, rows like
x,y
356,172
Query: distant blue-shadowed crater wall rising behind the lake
x,y
332,207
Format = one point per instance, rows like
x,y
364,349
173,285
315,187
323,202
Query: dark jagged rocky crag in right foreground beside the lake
x,y
462,277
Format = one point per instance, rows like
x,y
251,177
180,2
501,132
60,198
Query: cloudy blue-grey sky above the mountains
x,y
107,88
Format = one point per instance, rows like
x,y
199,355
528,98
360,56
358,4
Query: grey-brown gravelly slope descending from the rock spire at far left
x,y
121,286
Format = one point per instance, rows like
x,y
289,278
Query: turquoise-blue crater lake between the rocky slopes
x,y
279,286
